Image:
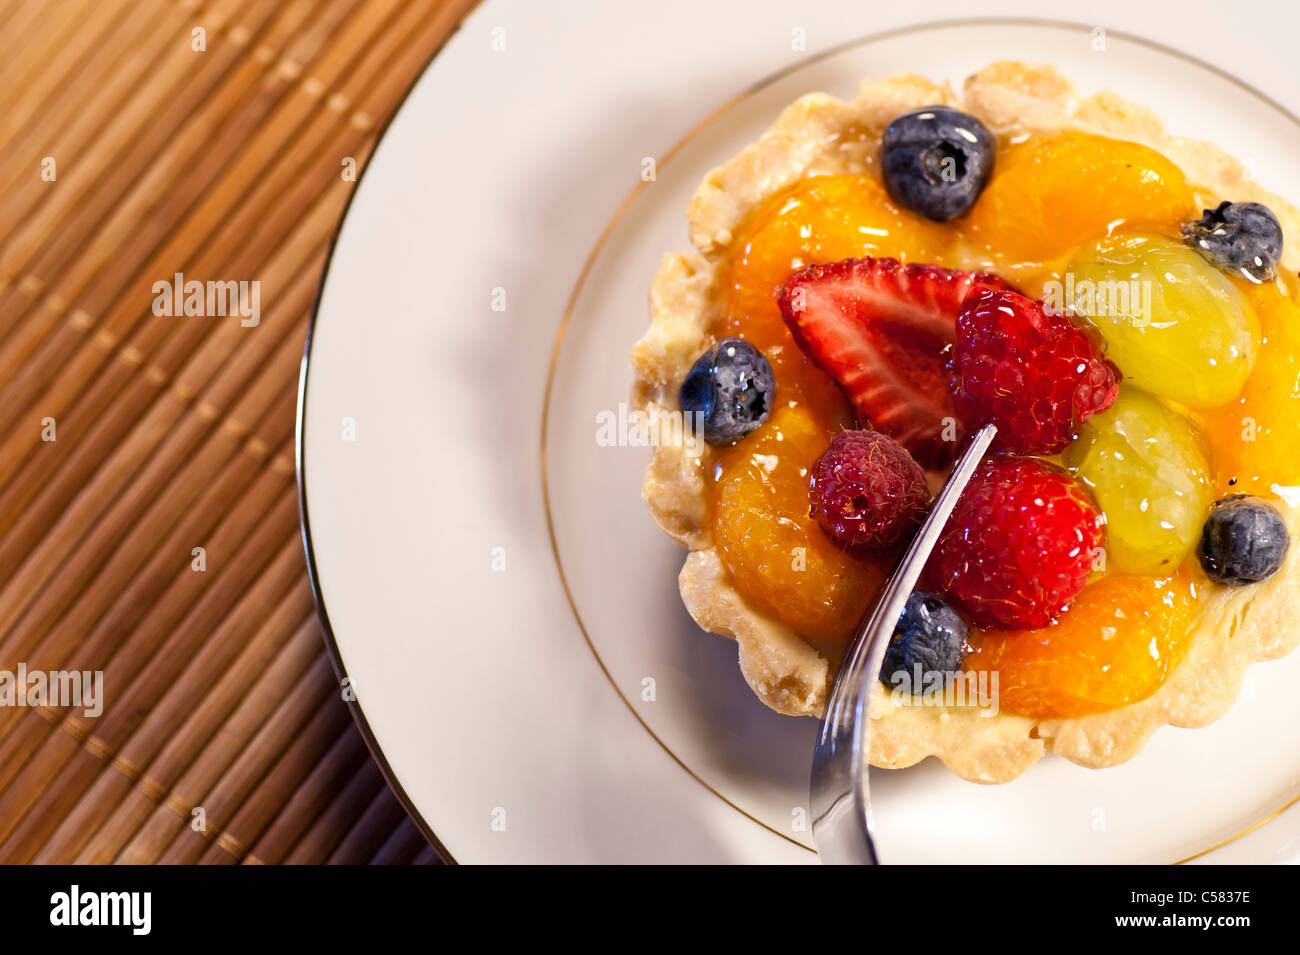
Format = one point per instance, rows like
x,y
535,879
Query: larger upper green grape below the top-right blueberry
x,y
1175,324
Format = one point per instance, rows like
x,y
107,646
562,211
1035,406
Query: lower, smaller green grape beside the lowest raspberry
x,y
1146,468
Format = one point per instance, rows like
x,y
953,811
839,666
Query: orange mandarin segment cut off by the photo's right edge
x,y
1255,441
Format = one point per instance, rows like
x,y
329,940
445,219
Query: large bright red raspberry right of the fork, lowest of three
x,y
1019,546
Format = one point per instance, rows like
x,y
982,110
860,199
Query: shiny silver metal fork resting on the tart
x,y
842,809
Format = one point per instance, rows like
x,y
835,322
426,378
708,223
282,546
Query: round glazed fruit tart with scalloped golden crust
x,y
873,281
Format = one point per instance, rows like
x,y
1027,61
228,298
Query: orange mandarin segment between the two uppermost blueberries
x,y
1054,194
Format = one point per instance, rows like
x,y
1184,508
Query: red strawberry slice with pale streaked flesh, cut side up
x,y
881,329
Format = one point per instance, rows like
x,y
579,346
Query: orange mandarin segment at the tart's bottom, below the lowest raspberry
x,y
1116,646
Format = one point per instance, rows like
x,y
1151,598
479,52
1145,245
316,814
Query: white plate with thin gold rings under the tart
x,y
515,732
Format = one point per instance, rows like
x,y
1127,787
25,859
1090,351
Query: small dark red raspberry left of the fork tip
x,y
866,490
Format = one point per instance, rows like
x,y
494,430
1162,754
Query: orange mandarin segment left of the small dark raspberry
x,y
777,554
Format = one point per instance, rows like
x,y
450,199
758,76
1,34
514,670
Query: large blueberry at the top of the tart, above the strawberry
x,y
937,162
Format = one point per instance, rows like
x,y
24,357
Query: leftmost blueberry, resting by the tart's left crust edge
x,y
733,387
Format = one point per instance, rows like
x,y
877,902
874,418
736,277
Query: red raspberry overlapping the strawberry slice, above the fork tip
x,y
1038,377
